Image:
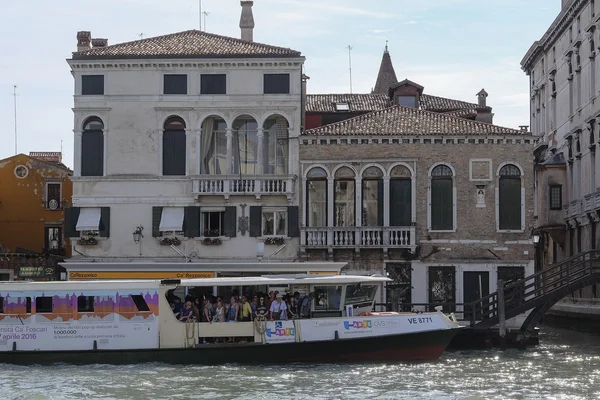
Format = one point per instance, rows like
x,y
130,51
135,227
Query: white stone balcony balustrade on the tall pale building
x,y
256,185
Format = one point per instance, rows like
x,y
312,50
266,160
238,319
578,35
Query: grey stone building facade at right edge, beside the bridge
x,y
565,114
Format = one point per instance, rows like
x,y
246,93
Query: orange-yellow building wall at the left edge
x,y
24,215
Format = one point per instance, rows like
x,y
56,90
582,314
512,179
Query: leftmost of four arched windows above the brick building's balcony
x,y
316,198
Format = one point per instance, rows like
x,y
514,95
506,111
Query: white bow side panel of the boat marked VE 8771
x,y
364,326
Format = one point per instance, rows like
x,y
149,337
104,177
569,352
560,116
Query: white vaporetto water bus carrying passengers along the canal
x,y
115,322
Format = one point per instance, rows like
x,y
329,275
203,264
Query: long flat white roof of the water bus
x,y
269,280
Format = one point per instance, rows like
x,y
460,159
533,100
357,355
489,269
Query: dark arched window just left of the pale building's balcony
x,y
174,149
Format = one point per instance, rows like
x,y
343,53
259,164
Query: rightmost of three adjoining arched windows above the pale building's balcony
x,y
275,145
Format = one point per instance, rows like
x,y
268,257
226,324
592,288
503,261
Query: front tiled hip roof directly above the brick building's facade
x,y
400,120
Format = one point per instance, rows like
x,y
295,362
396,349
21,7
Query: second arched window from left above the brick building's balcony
x,y
344,197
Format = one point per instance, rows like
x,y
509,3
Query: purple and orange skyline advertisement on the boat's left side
x,y
79,321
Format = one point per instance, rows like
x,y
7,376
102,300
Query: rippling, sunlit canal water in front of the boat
x,y
566,365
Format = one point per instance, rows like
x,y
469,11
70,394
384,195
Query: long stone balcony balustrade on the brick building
x,y
369,237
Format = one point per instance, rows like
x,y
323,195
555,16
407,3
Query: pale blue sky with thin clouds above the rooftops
x,y
453,48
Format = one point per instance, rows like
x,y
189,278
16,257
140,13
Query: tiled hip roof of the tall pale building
x,y
187,44
